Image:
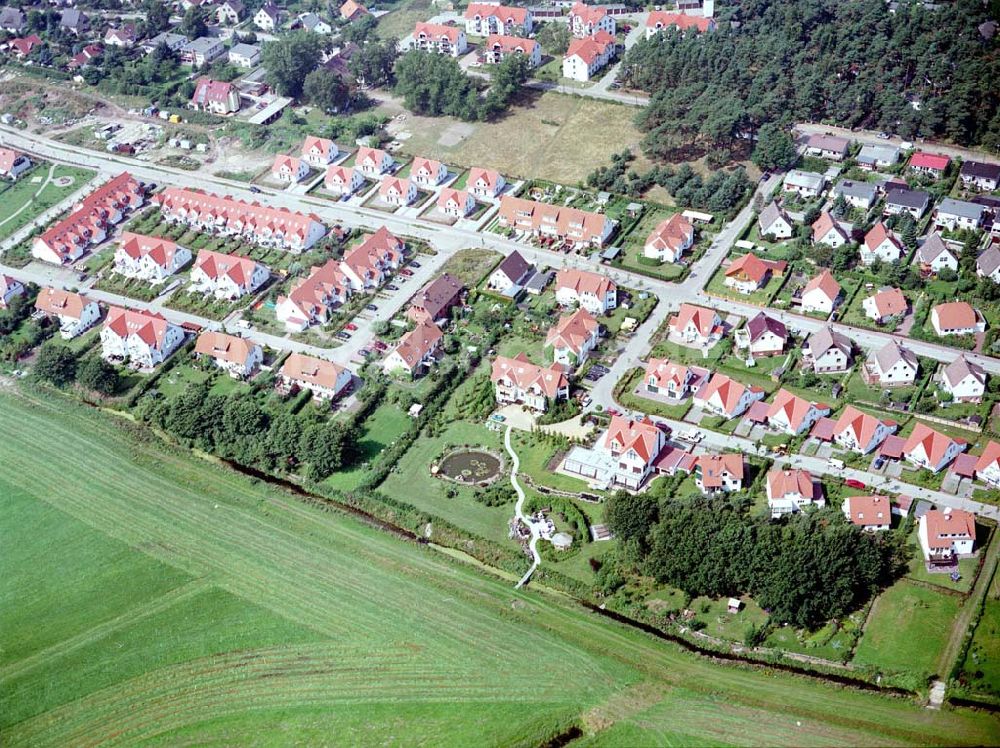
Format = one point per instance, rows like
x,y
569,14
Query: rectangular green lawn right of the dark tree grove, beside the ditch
x,y
907,630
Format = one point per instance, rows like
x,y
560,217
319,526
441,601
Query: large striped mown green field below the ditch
x,y
149,596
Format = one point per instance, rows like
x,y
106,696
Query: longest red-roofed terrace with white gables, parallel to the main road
x,y
261,224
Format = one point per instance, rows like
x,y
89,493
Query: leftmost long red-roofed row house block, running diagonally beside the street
x,y
88,223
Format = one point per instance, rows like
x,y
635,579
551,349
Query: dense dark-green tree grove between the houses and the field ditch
x,y
805,569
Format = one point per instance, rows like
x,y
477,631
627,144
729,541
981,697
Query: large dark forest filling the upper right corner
x,y
854,64
